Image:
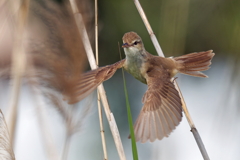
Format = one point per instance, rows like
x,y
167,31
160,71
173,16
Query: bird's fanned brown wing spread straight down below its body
x,y
162,110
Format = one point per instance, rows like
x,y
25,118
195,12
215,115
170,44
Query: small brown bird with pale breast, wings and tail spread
x,y
162,106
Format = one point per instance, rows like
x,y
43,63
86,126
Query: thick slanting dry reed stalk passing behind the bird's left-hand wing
x,y
92,61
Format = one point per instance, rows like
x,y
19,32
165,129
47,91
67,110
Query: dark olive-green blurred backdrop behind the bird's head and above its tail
x,y
181,26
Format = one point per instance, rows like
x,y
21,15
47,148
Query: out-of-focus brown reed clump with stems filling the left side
x,y
52,58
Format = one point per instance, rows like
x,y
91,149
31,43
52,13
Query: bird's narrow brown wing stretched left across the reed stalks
x,y
90,80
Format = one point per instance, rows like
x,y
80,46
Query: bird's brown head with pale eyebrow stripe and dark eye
x,y
132,43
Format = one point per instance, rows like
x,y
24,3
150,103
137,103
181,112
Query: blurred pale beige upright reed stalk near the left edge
x,y
18,66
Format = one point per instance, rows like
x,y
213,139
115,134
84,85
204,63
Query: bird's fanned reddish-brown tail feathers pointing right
x,y
193,63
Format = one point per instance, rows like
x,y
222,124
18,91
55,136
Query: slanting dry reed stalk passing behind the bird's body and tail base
x,y
160,53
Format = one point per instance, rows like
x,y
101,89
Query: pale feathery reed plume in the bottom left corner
x,y
6,151
